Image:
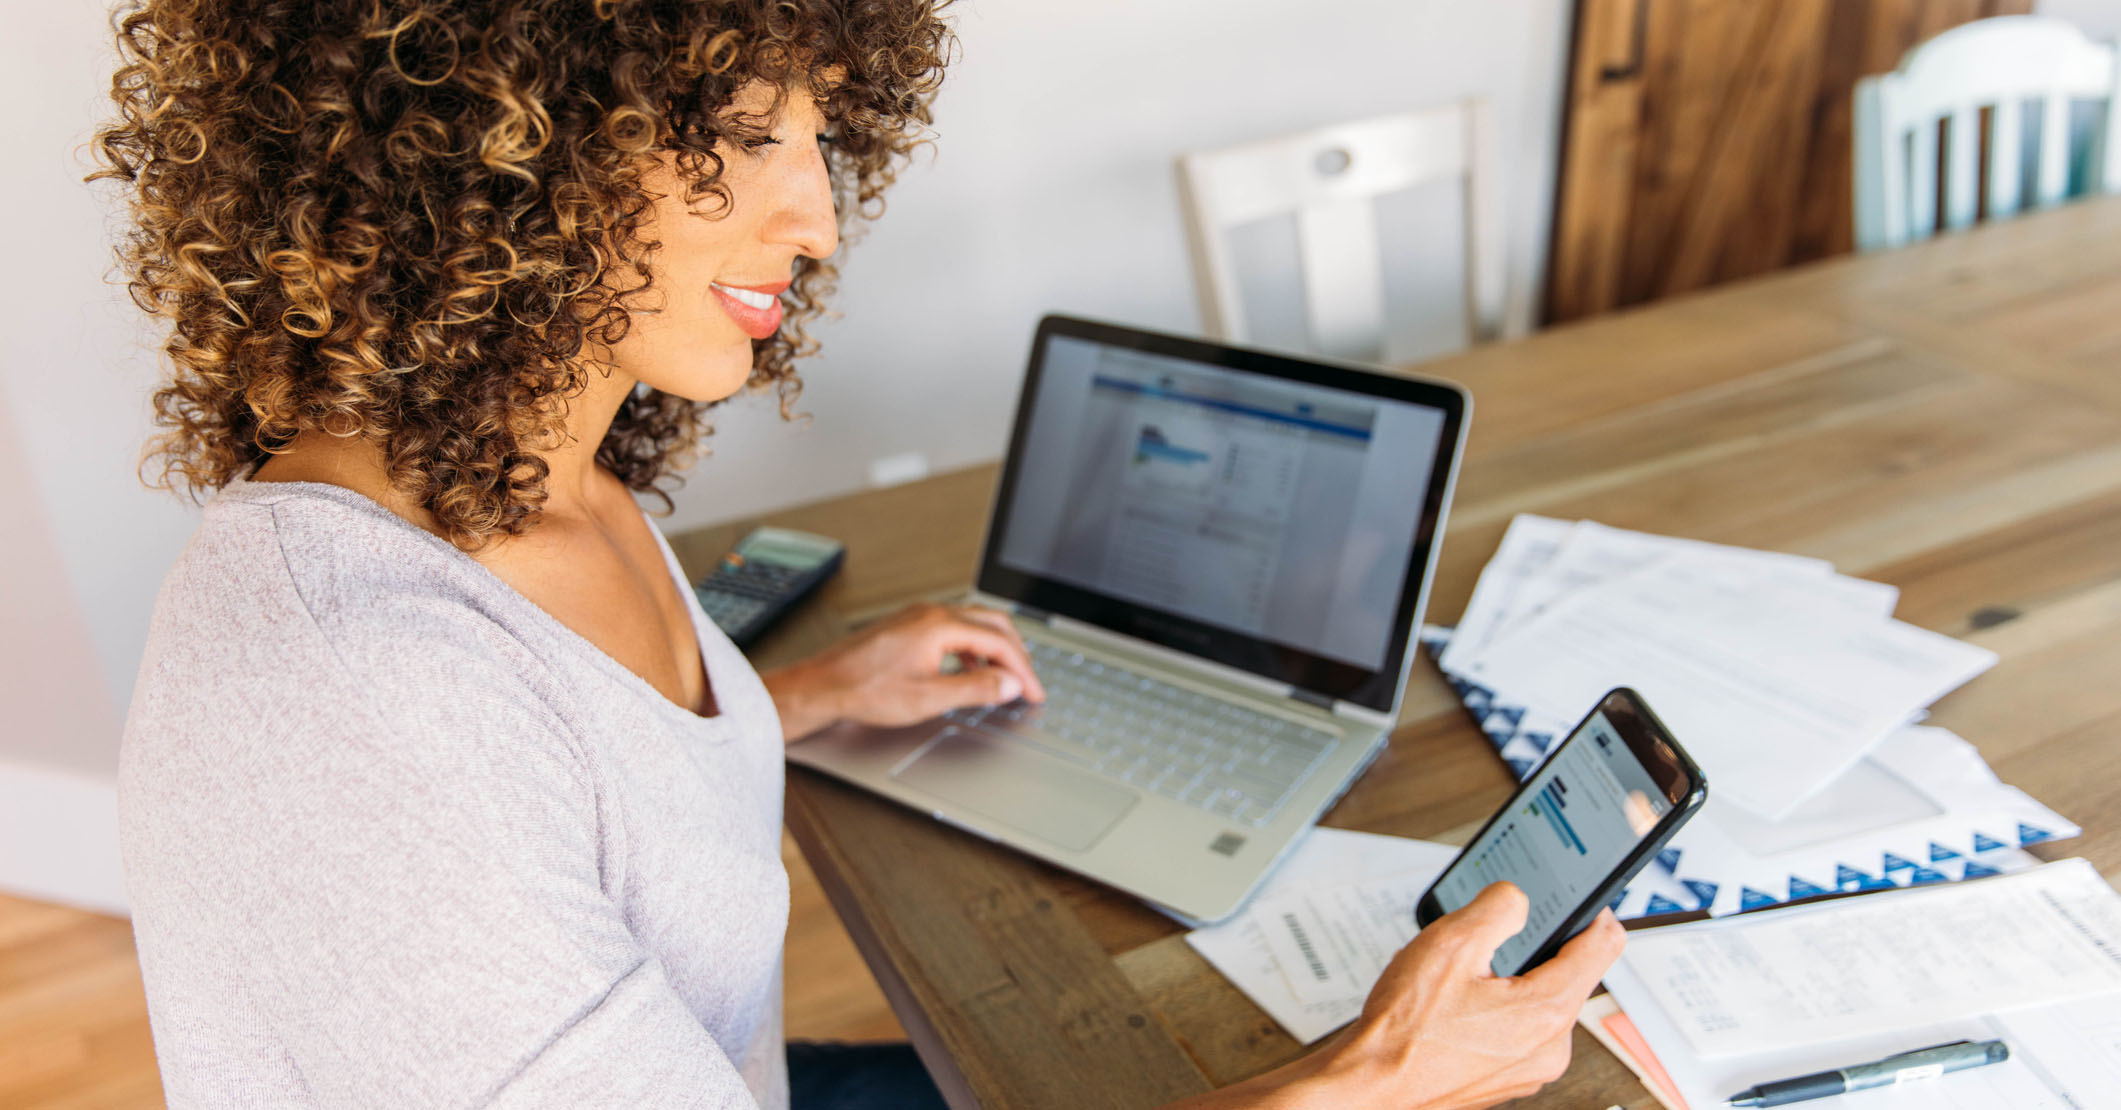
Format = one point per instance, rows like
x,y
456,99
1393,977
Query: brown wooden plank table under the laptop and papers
x,y
1946,419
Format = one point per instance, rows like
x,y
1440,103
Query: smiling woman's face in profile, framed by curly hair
x,y
722,268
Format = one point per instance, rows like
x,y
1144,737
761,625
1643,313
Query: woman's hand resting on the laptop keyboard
x,y
896,672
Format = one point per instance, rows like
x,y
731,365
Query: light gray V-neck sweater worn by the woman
x,y
398,837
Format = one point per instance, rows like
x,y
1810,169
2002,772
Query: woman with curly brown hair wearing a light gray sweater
x,y
438,788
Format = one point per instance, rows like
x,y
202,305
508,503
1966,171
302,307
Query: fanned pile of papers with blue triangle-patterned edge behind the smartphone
x,y
1791,684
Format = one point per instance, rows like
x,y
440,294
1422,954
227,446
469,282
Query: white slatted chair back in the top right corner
x,y
2001,65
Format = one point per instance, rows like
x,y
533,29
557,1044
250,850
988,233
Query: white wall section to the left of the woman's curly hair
x,y
82,544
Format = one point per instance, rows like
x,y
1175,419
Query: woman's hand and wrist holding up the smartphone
x,y
1441,1030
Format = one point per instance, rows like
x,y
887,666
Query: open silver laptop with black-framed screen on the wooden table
x,y
1219,559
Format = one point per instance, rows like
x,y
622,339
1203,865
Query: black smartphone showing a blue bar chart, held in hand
x,y
1581,827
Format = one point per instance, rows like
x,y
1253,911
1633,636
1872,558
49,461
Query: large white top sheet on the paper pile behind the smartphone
x,y
1770,687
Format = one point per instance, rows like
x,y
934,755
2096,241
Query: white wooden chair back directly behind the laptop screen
x,y
1329,179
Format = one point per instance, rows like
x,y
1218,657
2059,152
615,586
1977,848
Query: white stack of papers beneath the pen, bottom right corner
x,y
2033,960
